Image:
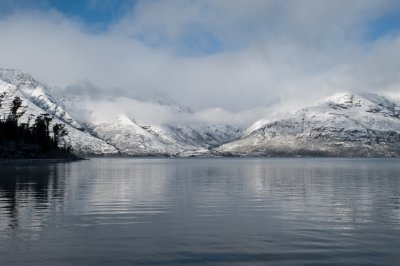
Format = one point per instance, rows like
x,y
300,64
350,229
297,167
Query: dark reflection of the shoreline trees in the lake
x,y
29,195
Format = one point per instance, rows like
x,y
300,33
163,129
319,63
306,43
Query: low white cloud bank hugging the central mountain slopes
x,y
150,113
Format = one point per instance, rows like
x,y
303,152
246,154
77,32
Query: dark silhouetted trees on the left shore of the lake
x,y
35,136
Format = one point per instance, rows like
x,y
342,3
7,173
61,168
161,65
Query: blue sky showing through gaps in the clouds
x,y
196,40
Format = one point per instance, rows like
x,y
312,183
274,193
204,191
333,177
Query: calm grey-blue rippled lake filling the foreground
x,y
276,211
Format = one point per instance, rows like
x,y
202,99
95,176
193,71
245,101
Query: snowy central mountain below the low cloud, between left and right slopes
x,y
133,139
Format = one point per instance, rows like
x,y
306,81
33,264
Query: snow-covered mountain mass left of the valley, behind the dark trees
x,y
98,125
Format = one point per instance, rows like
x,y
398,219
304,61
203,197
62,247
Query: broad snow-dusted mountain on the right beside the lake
x,y
342,125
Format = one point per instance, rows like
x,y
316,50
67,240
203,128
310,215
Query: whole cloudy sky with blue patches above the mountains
x,y
232,54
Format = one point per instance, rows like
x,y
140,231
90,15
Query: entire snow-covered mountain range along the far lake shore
x,y
344,124
